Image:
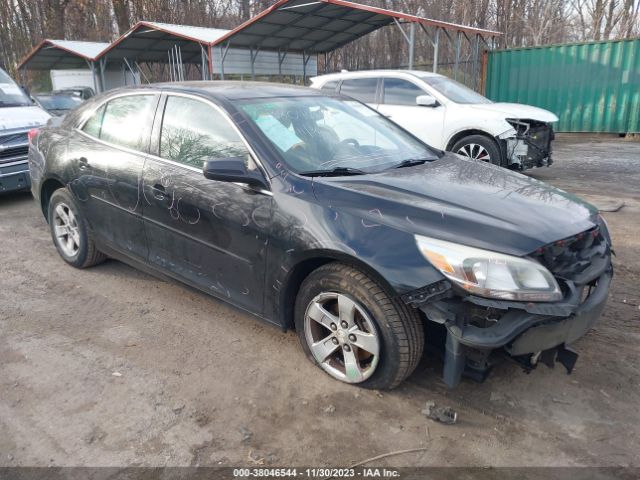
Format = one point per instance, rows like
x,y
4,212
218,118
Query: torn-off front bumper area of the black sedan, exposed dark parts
x,y
479,330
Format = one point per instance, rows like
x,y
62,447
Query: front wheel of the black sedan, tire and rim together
x,y
396,328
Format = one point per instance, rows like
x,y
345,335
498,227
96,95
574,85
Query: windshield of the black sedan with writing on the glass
x,y
321,134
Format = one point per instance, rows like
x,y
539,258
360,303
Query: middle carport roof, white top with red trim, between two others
x,y
150,42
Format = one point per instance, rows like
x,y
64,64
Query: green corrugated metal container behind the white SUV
x,y
592,87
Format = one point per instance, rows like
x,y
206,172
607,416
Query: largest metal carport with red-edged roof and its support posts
x,y
322,26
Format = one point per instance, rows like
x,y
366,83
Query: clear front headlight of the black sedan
x,y
490,274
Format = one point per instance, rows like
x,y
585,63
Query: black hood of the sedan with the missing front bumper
x,y
463,201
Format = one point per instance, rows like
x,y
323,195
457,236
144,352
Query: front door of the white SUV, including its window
x,y
398,102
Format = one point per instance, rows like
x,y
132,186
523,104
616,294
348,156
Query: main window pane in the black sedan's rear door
x,y
126,119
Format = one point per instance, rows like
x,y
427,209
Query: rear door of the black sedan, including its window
x,y
108,153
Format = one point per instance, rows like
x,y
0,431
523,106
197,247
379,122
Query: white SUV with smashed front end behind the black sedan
x,y
447,115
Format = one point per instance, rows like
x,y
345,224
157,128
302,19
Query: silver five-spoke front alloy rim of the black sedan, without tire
x,y
342,337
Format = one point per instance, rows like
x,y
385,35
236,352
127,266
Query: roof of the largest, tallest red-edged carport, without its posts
x,y
323,25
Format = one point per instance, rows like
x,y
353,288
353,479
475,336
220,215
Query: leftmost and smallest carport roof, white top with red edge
x,y
62,54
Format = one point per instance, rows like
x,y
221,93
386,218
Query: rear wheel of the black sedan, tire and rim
x,y
70,232
